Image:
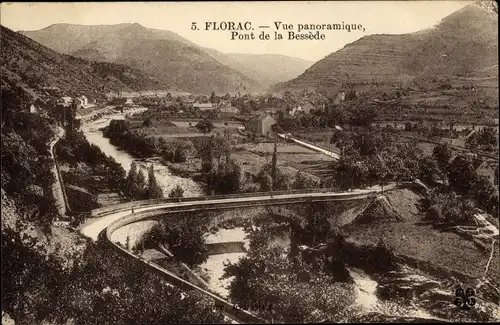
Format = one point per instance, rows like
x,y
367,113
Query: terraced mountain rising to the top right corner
x,y
463,44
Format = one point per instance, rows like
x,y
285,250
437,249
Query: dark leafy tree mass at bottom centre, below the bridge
x,y
269,277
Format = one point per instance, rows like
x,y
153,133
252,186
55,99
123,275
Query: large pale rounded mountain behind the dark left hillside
x,y
171,58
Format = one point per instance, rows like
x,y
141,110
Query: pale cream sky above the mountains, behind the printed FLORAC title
x,y
376,17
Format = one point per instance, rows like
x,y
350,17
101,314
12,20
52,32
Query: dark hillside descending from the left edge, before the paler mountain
x,y
28,65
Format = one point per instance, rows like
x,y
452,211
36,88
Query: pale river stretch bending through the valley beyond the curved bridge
x,y
165,179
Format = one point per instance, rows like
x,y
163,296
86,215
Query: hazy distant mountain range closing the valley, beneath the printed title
x,y
171,57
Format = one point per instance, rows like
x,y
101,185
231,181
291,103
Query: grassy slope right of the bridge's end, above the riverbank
x,y
421,241
